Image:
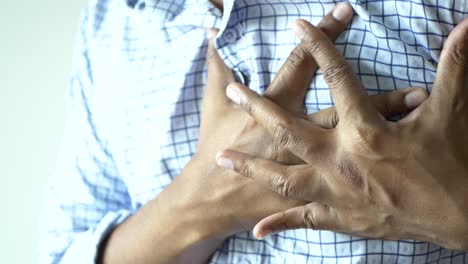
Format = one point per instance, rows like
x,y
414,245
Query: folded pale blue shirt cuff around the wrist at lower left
x,y
85,246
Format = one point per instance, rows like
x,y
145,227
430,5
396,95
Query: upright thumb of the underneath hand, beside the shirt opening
x,y
219,75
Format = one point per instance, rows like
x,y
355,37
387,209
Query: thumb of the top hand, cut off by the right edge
x,y
452,72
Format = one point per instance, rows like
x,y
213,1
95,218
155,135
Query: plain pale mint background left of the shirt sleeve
x,y
36,44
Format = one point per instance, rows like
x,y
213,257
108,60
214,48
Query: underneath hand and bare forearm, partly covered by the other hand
x,y
206,203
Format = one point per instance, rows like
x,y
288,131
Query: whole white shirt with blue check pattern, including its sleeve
x,y
135,94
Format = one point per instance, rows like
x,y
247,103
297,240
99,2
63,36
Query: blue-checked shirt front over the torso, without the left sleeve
x,y
149,74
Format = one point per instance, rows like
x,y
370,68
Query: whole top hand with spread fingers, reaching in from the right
x,y
368,176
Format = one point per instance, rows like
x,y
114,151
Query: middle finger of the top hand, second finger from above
x,y
299,136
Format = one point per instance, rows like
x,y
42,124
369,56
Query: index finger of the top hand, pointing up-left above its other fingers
x,y
351,100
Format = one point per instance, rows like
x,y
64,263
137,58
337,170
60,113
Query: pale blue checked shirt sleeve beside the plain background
x,y
86,198
